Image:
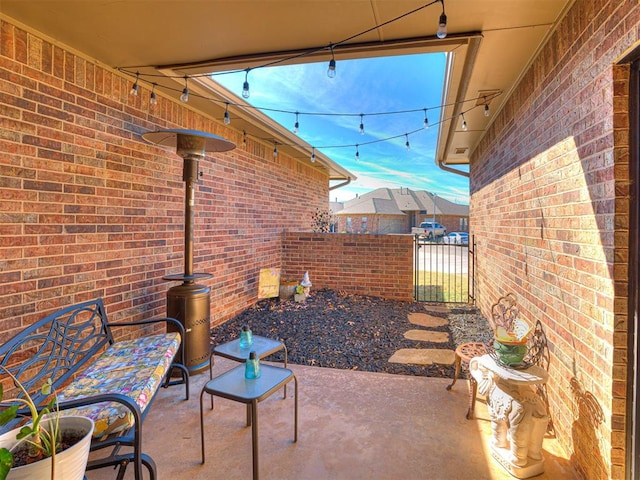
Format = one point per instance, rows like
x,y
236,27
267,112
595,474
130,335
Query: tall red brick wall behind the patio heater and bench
x,y
88,209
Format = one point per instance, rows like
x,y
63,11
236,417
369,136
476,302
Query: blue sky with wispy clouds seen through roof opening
x,y
367,86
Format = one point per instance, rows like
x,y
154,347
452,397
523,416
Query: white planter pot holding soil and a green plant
x,y
70,464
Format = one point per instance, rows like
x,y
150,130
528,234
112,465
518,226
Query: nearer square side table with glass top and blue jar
x,y
233,385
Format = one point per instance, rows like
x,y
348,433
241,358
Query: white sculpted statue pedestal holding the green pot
x,y
518,414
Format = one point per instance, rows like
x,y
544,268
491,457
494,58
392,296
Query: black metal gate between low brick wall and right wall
x,y
443,272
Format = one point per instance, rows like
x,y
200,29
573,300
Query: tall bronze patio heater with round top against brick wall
x,y
190,302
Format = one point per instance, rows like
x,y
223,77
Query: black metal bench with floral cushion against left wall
x,y
74,347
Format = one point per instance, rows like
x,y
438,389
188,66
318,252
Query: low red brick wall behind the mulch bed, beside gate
x,y
377,265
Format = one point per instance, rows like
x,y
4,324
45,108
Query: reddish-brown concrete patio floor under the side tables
x,y
352,425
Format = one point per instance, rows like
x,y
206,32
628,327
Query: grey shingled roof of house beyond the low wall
x,y
398,201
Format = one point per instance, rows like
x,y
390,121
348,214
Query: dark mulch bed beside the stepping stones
x,y
337,330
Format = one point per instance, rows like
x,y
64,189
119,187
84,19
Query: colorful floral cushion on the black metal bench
x,y
133,368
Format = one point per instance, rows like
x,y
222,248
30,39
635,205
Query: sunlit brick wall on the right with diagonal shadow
x,y
549,208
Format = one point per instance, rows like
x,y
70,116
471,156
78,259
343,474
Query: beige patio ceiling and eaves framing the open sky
x,y
491,43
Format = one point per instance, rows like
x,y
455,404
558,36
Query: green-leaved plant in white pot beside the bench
x,y
51,445
